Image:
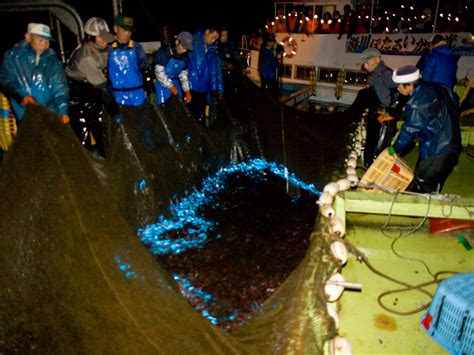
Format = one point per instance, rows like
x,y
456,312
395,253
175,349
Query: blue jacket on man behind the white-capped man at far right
x,y
440,66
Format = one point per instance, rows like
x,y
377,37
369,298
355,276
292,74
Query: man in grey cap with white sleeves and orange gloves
x,y
171,69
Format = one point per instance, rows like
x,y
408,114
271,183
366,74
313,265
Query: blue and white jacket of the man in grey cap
x,y
170,69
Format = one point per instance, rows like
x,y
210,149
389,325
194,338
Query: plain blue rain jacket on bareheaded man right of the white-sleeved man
x,y
205,70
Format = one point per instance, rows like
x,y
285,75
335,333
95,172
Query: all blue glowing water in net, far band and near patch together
x,y
188,217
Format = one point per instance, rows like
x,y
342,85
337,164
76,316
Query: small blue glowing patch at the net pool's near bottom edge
x,y
204,301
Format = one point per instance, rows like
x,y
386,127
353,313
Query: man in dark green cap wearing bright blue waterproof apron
x,y
128,67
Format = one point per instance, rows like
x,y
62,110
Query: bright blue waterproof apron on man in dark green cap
x,y
125,66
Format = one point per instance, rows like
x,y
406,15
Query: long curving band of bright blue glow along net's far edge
x,y
185,213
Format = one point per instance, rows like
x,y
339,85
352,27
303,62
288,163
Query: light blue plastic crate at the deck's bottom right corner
x,y
450,317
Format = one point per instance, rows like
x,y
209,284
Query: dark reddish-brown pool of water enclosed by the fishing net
x,y
257,234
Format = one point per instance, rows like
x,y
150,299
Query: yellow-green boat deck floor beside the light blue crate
x,y
408,256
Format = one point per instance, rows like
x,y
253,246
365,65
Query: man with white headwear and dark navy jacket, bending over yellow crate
x,y
432,118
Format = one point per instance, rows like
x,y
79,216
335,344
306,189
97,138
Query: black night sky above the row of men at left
x,y
239,17
